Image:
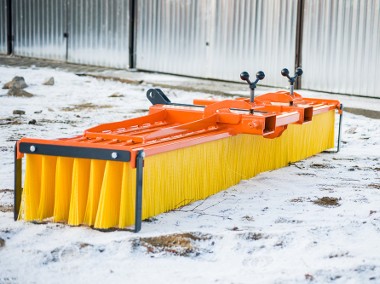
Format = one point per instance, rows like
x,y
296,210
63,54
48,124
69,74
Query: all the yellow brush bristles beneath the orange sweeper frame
x,y
102,193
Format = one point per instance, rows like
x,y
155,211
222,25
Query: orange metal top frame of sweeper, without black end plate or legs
x,y
170,127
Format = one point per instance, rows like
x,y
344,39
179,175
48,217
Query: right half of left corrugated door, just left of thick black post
x,y
99,32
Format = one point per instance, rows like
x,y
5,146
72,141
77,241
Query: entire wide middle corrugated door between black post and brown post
x,y
217,38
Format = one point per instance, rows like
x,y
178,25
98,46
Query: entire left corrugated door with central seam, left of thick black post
x,y
91,32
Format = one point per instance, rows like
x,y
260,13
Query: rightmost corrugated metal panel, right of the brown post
x,y
341,46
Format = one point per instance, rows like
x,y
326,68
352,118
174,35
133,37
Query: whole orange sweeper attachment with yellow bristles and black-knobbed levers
x,y
117,174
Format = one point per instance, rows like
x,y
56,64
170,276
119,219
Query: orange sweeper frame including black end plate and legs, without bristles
x,y
170,126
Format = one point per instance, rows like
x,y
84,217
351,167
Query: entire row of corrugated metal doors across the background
x,y
338,44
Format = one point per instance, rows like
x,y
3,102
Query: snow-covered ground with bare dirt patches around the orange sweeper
x,y
317,220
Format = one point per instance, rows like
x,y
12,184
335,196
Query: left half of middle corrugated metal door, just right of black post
x,y
171,36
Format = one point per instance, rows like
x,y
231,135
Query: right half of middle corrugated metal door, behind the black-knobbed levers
x,y
253,35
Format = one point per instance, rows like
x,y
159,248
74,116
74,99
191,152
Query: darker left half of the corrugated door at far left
x,y
38,28
